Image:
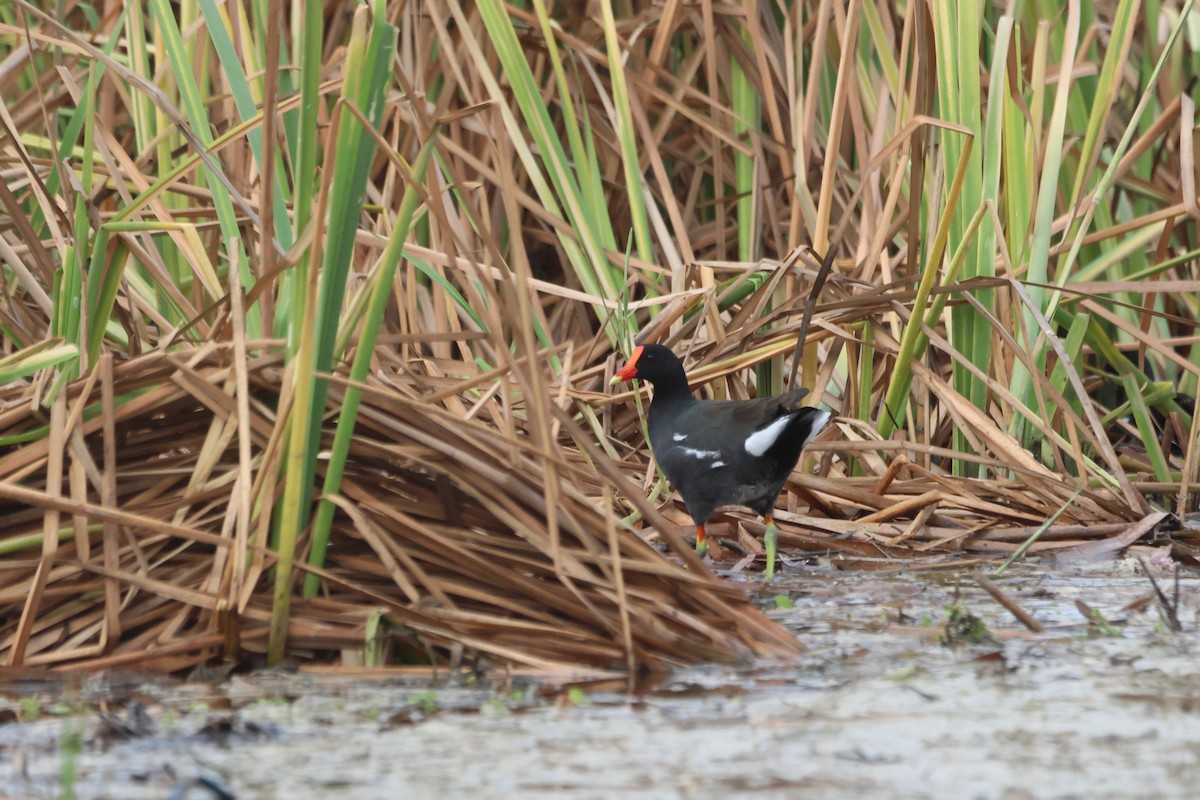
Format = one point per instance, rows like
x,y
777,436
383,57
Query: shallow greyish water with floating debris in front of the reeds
x,y
878,707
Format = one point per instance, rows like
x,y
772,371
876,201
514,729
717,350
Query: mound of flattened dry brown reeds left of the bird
x,y
446,537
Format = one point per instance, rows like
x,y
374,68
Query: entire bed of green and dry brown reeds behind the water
x,y
307,335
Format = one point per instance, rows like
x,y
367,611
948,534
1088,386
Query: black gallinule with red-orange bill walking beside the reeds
x,y
722,453
